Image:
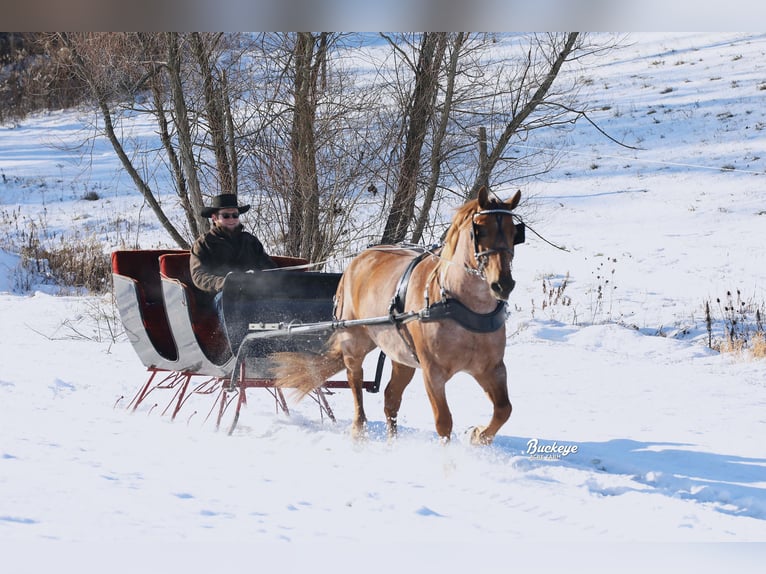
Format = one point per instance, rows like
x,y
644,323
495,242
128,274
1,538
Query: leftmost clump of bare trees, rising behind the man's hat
x,y
190,92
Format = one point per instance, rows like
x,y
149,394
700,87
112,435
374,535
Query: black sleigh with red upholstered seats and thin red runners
x,y
185,347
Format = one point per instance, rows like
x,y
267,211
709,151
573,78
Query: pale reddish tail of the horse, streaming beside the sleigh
x,y
305,372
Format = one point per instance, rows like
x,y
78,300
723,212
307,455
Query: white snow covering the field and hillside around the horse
x,y
664,436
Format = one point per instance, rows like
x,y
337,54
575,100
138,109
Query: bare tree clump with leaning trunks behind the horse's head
x,y
487,97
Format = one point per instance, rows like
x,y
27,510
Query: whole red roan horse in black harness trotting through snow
x,y
447,311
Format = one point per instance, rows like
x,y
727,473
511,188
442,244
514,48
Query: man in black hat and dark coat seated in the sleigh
x,y
226,247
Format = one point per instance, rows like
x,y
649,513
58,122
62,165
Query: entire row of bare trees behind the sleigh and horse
x,y
308,127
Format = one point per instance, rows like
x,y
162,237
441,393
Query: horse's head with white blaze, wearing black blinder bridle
x,y
494,235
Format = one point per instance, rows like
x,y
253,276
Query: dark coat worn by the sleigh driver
x,y
217,253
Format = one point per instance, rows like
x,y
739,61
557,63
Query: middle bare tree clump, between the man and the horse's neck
x,y
320,145
